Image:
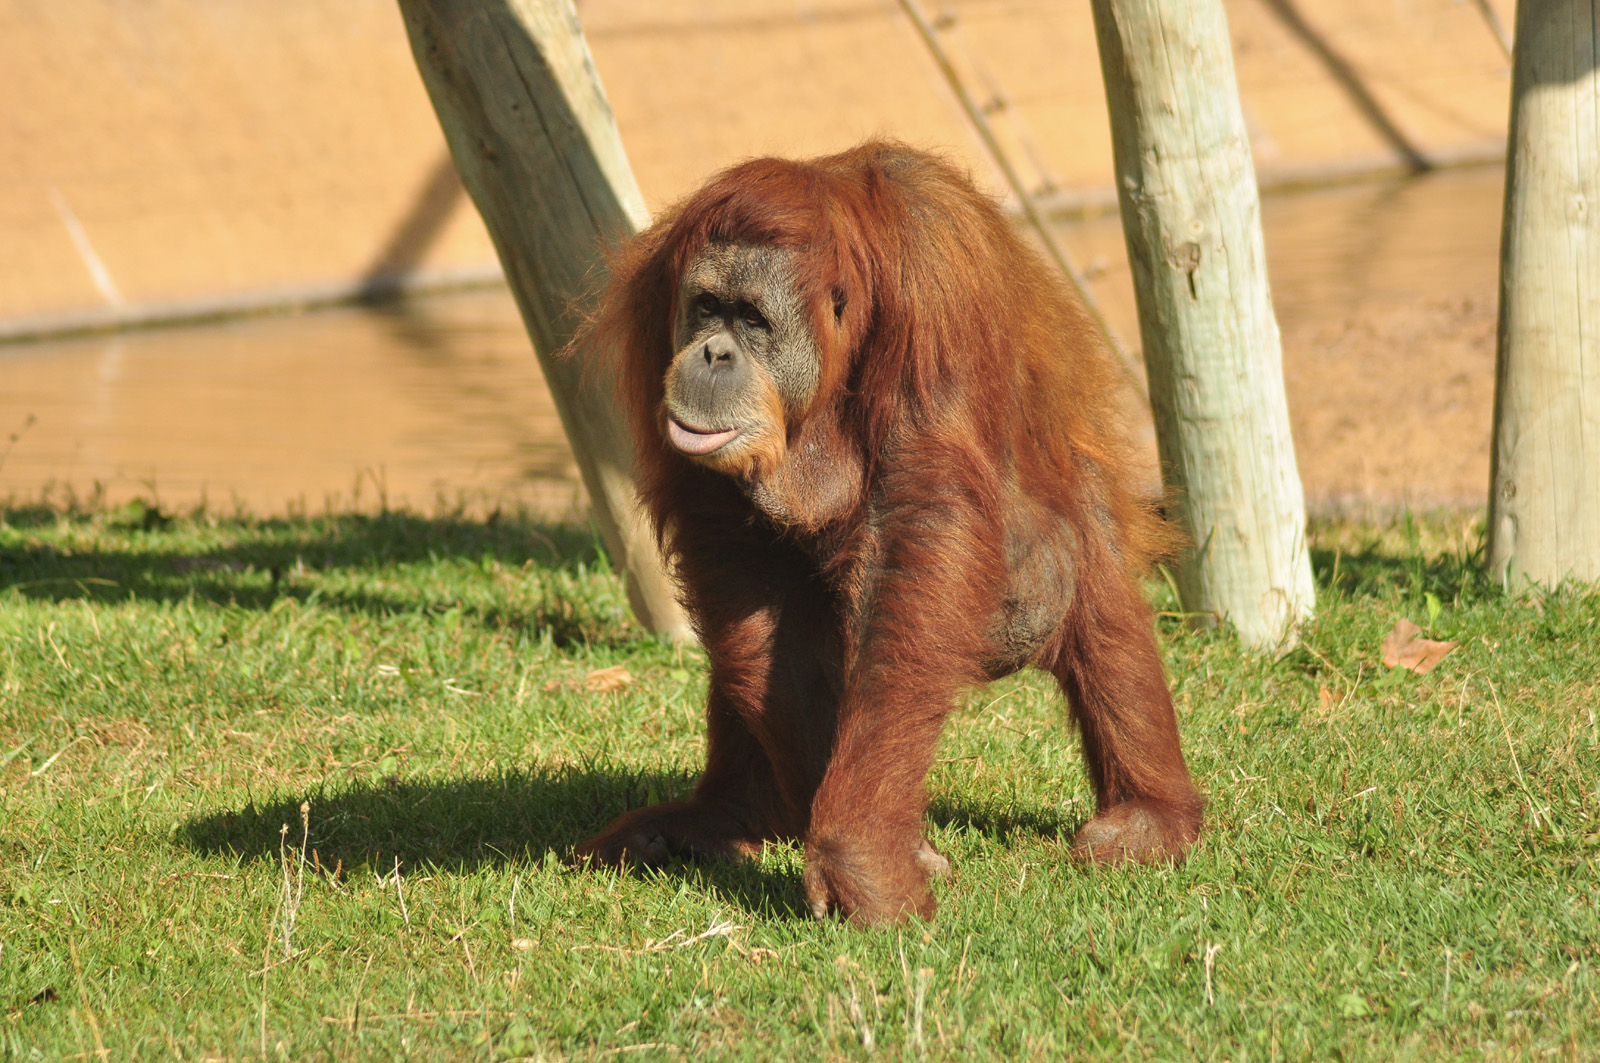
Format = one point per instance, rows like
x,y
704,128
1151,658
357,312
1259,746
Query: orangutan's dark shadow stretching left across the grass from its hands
x,y
513,820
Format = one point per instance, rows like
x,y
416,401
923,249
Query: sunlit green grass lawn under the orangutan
x,y
1394,865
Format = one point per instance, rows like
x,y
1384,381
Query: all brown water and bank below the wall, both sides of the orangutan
x,y
1385,297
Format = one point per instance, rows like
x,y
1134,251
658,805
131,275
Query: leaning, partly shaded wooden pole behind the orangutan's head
x,y
534,138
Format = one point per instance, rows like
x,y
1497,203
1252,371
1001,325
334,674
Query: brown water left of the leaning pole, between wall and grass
x,y
415,404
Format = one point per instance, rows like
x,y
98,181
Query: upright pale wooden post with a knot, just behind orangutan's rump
x,y
1193,222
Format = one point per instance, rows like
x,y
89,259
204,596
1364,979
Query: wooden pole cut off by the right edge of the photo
x,y
1545,491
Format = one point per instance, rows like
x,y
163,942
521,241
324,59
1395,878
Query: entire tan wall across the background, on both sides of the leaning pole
x,y
159,156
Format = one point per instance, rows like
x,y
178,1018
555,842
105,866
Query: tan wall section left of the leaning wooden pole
x,y
193,151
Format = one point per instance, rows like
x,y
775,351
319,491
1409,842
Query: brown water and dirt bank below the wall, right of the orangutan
x,y
1386,302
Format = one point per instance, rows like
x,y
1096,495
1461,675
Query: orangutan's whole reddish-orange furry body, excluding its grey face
x,y
967,417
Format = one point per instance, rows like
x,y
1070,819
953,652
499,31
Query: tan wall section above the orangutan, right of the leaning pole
x,y
1327,84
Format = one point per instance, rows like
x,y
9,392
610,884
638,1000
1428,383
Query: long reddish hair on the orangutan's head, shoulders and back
x,y
932,316
